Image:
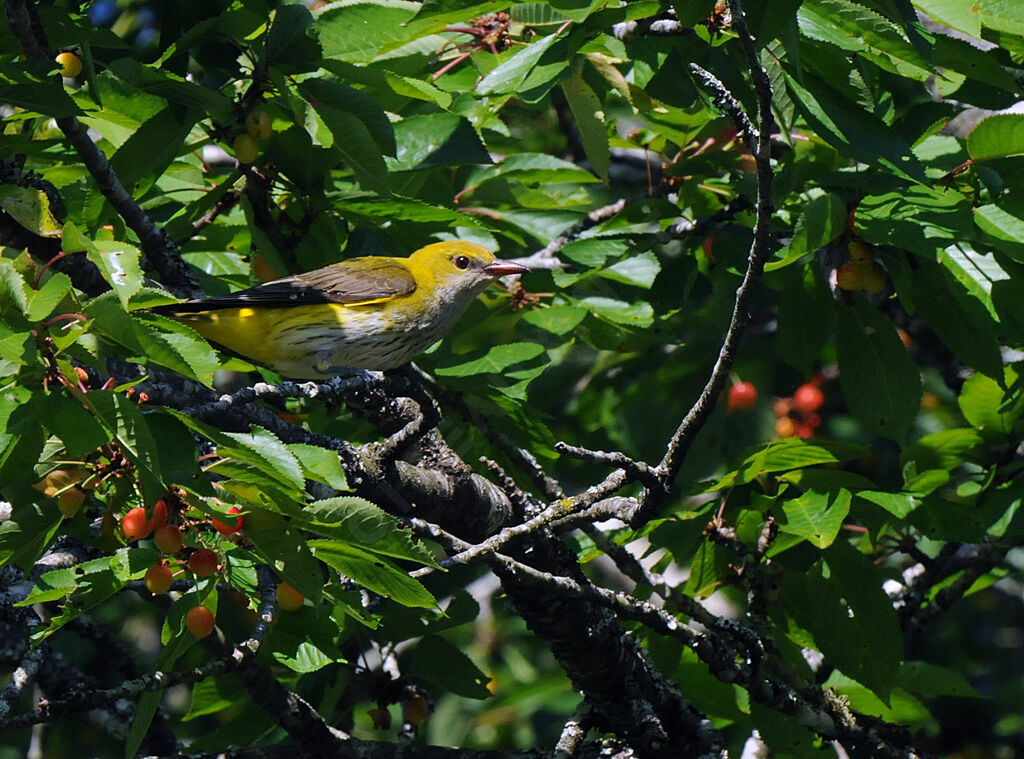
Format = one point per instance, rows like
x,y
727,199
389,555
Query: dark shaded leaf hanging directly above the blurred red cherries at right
x,y
806,314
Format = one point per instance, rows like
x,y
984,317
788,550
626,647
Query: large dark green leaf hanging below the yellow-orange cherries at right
x,y
880,383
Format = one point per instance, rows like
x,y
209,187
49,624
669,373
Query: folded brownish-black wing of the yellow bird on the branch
x,y
357,281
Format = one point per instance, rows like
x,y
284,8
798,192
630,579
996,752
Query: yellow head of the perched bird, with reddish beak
x,y
459,271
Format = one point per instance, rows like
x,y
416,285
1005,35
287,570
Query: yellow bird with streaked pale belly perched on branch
x,y
372,313
